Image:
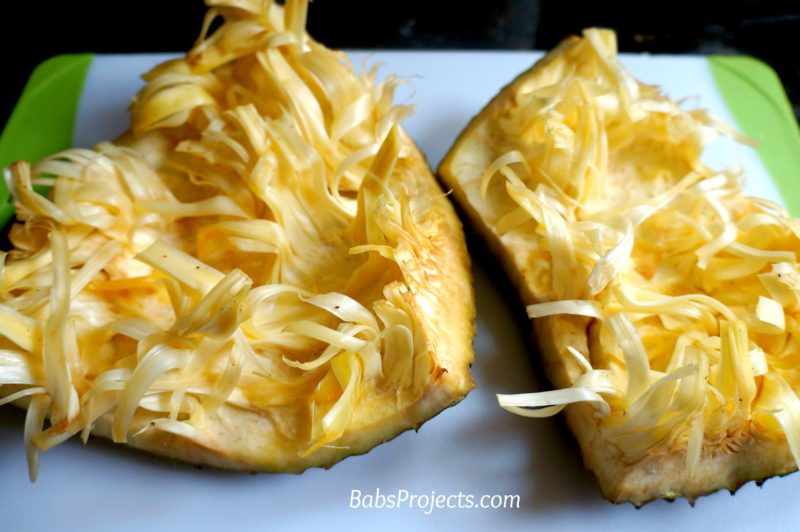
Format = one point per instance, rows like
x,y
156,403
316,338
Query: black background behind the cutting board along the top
x,y
768,30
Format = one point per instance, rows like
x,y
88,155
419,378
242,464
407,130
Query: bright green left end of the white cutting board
x,y
43,120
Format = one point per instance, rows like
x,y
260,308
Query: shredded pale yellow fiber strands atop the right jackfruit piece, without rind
x,y
690,291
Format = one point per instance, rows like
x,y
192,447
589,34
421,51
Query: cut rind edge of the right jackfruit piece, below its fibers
x,y
656,476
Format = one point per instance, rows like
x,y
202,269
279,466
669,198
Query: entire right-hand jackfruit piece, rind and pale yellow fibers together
x,y
576,147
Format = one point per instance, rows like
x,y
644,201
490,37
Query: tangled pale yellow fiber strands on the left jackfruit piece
x,y
224,255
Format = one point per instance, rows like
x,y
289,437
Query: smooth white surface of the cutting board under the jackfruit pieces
x,y
473,448
